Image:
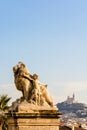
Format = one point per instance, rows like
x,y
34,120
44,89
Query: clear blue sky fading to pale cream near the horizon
x,y
50,37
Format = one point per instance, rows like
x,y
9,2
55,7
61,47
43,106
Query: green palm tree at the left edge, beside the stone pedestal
x,y
4,99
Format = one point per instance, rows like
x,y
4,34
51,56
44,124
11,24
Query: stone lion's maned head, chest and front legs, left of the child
x,y
23,80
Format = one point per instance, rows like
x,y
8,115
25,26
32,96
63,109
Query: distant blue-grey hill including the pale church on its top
x,y
72,108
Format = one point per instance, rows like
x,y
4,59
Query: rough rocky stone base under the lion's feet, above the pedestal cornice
x,y
24,106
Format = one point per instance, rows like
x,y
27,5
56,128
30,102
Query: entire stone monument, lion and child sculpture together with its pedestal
x,y
35,110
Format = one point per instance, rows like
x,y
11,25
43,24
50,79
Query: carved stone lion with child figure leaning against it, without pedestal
x,y
33,91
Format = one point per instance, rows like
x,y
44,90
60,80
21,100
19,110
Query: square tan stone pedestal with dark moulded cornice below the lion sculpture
x,y
37,120
